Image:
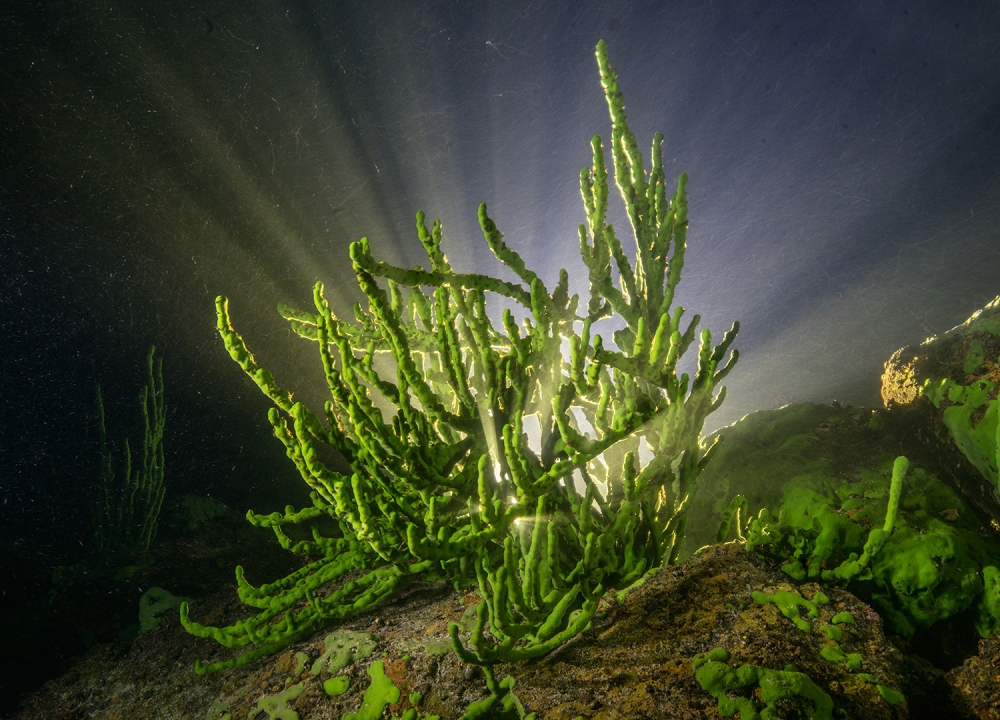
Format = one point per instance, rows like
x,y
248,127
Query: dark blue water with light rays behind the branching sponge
x,y
844,191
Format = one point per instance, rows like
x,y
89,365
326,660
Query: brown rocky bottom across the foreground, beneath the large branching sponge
x,y
636,661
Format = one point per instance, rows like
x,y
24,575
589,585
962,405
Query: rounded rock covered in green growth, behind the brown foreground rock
x,y
817,481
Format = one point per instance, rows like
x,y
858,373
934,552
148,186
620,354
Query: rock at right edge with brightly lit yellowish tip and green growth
x,y
949,383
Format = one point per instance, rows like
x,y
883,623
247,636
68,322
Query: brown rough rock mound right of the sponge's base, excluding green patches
x,y
636,662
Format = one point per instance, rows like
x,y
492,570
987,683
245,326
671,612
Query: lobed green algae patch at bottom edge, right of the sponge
x,y
717,678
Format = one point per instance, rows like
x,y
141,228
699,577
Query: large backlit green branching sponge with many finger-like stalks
x,y
453,486
